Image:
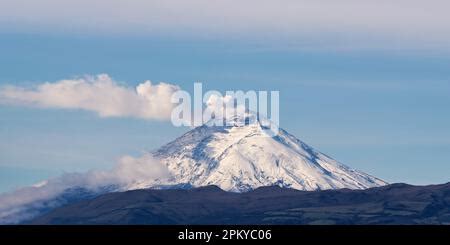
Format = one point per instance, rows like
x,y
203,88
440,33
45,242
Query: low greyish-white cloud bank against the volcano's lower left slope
x,y
25,203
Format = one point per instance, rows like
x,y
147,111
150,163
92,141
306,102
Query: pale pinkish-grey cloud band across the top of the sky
x,y
370,20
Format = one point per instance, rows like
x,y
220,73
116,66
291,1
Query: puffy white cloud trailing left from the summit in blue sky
x,y
100,94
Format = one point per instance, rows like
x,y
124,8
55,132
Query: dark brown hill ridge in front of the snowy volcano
x,y
392,204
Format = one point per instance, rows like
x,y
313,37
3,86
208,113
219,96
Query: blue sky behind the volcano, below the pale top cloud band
x,y
381,107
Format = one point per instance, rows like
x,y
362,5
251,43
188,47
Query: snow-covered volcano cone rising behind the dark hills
x,y
240,157
